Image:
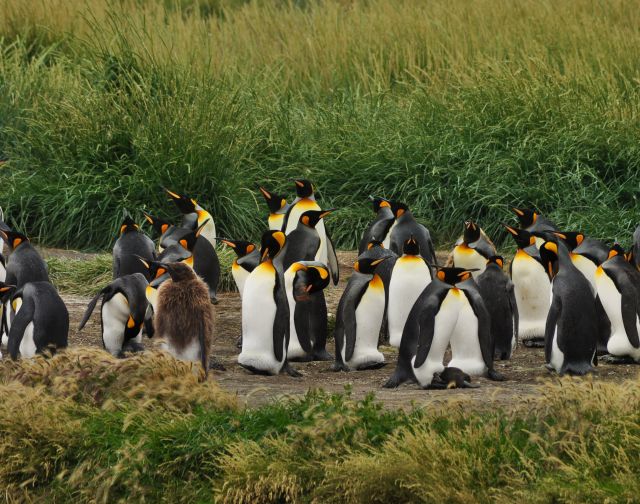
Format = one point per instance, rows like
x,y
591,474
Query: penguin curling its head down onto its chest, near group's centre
x,y
304,282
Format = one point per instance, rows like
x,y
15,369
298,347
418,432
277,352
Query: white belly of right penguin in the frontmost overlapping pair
x,y
465,344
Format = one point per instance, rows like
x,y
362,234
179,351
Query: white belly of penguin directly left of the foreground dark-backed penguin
x,y
532,290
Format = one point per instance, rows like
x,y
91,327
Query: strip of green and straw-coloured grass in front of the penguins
x,y
83,426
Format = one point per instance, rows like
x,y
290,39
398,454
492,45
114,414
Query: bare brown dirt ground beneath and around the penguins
x,y
525,371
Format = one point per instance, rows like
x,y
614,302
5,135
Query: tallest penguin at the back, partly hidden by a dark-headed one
x,y
307,201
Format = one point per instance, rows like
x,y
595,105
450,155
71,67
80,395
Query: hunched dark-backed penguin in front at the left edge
x,y
39,319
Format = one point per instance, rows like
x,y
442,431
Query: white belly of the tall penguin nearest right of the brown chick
x,y
258,316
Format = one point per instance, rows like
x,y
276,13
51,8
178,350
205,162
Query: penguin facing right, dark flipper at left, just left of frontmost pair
x,y
359,316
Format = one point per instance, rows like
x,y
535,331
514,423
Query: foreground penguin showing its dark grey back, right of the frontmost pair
x,y
571,327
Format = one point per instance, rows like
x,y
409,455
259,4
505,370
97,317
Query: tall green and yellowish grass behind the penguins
x,y
458,109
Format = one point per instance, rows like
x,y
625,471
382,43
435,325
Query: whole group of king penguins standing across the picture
x,y
571,294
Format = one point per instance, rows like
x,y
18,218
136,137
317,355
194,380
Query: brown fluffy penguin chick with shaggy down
x,y
184,315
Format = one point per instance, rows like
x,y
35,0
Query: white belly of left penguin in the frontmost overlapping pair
x,y
445,322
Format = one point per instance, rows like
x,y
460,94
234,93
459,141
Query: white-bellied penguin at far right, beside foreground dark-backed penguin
x,y
618,284
